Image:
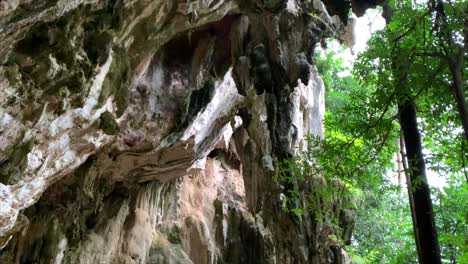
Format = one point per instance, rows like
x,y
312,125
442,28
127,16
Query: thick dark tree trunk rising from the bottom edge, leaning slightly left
x,y
423,213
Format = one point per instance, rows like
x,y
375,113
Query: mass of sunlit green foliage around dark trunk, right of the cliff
x,y
353,160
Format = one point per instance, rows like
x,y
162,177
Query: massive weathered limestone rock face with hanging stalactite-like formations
x,y
148,131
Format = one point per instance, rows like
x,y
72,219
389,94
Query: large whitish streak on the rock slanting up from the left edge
x,y
58,156
